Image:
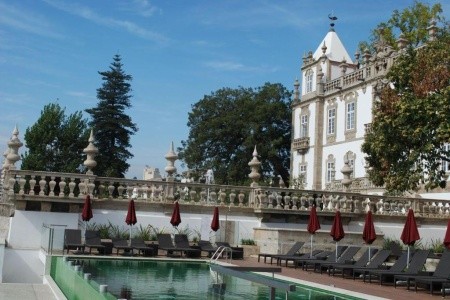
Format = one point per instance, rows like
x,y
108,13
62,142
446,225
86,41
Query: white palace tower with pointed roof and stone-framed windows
x,y
331,112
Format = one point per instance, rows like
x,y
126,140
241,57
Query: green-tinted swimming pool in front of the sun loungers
x,y
161,279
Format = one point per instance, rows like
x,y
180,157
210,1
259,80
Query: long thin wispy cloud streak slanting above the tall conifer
x,y
88,14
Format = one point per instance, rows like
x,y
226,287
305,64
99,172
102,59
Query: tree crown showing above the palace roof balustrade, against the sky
x,y
412,23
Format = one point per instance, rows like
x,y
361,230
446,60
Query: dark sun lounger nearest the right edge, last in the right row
x,y
440,277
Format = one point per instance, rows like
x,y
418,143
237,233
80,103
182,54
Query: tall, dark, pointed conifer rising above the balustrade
x,y
112,127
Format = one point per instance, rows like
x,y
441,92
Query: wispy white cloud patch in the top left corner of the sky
x,y
24,20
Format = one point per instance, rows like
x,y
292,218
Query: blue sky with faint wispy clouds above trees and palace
x,y
176,51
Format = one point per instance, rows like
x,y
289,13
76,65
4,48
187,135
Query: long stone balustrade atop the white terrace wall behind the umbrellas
x,y
22,186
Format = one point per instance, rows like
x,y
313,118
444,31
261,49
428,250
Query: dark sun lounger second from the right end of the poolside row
x,y
416,264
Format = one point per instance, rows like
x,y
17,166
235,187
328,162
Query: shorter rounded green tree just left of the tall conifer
x,y
55,142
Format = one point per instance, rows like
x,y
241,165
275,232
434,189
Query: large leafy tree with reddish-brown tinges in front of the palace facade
x,y
411,123
